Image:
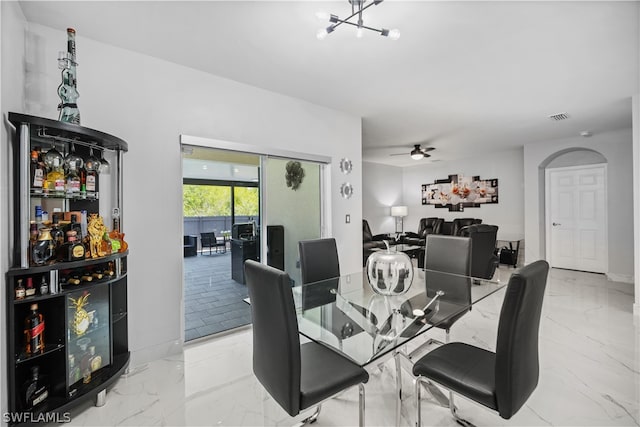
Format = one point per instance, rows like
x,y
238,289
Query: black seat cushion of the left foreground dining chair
x,y
325,373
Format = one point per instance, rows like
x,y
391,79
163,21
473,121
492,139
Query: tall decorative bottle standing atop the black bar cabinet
x,y
68,90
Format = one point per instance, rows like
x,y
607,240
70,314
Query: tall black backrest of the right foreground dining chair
x,y
517,365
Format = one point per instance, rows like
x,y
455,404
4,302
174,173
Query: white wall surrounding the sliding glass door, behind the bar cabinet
x,y
149,103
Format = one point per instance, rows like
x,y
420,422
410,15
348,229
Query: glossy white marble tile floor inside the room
x,y
589,376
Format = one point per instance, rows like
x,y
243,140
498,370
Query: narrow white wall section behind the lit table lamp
x,y
382,188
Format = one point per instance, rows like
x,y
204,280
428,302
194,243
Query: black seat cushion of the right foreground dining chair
x,y
450,365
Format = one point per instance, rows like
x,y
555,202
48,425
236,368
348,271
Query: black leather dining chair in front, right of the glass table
x,y
504,380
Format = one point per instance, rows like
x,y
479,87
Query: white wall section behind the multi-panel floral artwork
x,y
506,166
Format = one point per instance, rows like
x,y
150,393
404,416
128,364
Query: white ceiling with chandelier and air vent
x,y
464,77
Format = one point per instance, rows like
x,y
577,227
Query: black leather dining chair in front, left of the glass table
x,y
296,376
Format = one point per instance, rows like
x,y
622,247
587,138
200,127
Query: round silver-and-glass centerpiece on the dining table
x,y
389,272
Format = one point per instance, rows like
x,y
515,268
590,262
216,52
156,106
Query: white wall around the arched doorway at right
x,y
616,147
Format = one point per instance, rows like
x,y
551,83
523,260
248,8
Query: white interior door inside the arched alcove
x,y
576,218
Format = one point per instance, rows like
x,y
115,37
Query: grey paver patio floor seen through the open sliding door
x,y
212,299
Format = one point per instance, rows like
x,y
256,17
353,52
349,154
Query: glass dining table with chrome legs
x,y
347,315
